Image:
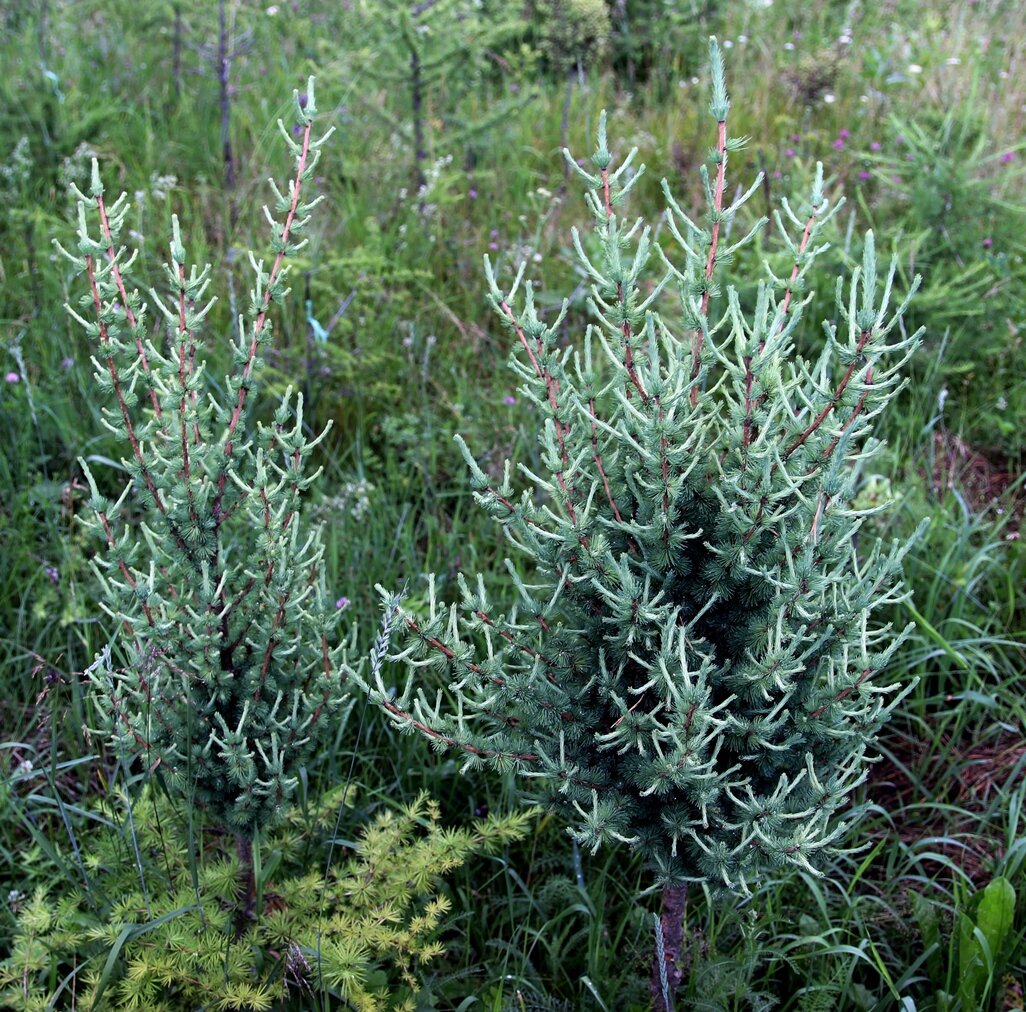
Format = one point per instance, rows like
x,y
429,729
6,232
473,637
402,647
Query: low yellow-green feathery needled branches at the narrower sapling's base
x,y
156,930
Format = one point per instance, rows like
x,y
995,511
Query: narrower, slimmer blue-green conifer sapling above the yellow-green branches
x,y
234,671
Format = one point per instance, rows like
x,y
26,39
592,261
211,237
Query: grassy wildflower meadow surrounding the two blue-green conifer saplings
x,y
387,335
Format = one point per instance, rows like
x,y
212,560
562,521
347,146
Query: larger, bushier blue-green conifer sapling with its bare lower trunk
x,y
692,669
